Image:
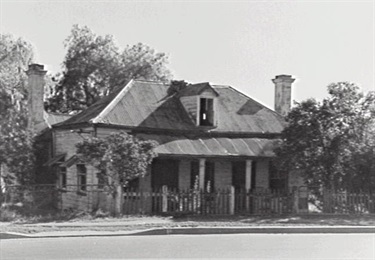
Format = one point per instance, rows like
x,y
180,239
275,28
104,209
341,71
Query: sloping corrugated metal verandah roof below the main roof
x,y
212,147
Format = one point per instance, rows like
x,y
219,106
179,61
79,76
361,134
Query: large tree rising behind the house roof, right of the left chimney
x,y
95,66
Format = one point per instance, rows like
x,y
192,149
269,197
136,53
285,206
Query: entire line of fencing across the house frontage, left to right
x,y
166,201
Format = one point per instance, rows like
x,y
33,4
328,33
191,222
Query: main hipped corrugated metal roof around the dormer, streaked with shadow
x,y
143,104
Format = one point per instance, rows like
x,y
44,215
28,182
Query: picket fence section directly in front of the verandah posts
x,y
219,202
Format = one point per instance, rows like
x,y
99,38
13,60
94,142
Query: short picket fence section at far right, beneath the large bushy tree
x,y
348,202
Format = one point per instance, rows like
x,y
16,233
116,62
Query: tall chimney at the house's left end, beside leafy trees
x,y
35,84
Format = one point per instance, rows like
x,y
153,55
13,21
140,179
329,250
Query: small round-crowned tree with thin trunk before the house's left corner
x,y
119,158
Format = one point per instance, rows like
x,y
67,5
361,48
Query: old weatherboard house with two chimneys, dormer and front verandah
x,y
207,132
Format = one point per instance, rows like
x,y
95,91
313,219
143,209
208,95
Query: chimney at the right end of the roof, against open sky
x,y
283,93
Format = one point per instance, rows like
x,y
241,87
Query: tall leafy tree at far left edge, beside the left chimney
x,y
16,143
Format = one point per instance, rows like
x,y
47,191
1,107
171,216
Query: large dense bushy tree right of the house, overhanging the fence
x,y
332,142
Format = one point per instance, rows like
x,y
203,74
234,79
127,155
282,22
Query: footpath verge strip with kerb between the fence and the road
x,y
132,226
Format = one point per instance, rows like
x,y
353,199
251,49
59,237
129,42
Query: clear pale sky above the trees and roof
x,y
243,44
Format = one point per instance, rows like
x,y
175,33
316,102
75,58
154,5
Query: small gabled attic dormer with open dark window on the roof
x,y
199,100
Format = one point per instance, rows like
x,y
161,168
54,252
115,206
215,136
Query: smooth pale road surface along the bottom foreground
x,y
250,246
